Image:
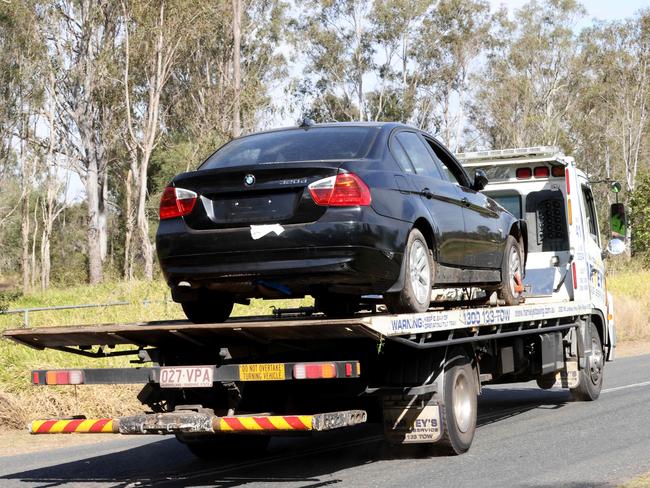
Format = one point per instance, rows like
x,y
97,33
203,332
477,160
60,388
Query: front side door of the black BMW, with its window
x,y
484,236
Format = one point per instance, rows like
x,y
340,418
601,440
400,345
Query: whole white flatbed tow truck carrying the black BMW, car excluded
x,y
233,385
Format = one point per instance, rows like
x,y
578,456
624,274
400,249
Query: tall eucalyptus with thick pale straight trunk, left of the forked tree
x,y
82,40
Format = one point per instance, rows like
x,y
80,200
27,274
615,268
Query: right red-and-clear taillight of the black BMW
x,y
342,190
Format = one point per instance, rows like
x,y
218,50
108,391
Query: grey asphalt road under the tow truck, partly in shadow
x,y
526,437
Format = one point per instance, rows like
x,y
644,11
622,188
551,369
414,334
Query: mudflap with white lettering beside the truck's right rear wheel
x,y
411,420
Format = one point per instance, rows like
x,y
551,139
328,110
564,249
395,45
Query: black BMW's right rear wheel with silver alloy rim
x,y
416,294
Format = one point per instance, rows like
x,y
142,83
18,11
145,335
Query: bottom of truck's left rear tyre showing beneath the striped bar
x,y
211,447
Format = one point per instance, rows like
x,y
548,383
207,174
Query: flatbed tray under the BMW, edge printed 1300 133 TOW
x,y
528,317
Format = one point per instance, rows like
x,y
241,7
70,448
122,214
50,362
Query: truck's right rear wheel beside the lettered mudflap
x,y
459,406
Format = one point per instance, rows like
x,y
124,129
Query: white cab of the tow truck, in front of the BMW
x,y
543,187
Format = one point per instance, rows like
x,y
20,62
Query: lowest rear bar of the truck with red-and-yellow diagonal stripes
x,y
200,423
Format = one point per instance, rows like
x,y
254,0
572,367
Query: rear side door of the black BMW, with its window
x,y
441,198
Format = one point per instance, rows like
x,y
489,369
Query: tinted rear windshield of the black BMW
x,y
314,144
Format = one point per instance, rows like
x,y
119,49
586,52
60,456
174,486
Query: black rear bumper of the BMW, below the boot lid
x,y
342,253
